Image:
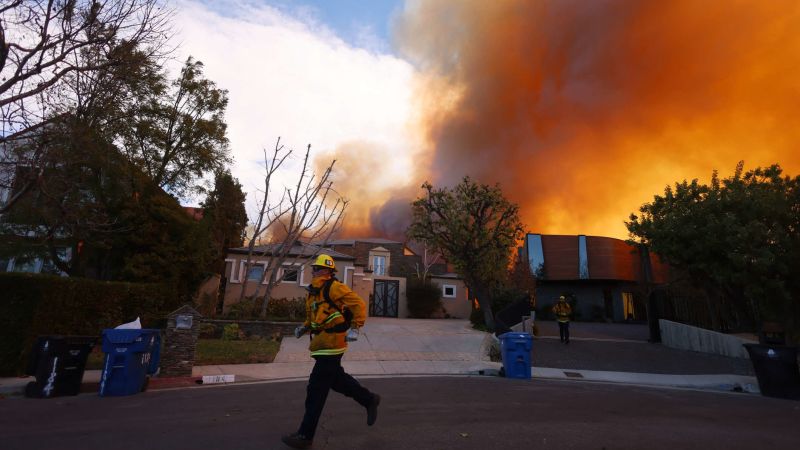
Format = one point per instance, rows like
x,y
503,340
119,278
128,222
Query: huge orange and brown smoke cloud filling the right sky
x,y
583,111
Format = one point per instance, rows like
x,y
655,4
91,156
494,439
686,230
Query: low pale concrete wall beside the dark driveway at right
x,y
687,337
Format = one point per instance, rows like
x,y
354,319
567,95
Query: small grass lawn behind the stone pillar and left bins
x,y
215,351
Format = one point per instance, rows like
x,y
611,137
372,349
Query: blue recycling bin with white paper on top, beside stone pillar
x,y
131,355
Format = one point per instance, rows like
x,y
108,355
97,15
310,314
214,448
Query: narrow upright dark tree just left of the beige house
x,y
225,217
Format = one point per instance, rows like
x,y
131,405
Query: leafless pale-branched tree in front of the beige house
x,y
309,212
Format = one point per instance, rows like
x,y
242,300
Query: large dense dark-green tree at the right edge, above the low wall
x,y
737,238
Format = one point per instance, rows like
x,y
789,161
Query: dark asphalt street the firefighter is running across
x,y
416,413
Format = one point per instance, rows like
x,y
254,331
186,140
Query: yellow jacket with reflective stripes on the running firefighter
x,y
326,321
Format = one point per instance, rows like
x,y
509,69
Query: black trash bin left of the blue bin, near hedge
x,y
58,363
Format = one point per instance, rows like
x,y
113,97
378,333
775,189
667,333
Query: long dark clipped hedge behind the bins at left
x,y
33,305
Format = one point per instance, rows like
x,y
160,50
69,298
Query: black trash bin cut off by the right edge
x,y
776,370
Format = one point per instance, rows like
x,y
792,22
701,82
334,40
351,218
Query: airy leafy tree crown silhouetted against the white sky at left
x,y
177,133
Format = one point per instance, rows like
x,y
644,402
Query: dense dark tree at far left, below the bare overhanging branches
x,y
76,205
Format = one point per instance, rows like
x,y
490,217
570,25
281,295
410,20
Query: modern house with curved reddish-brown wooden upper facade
x,y
603,275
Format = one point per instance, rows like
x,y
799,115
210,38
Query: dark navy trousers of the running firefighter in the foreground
x,y
328,374
